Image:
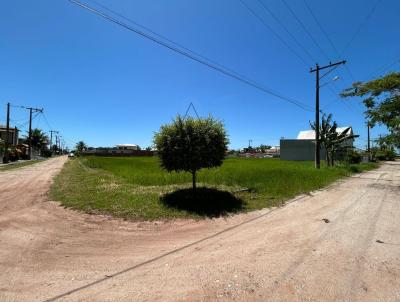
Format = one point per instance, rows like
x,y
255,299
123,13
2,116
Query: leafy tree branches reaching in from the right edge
x,y
381,98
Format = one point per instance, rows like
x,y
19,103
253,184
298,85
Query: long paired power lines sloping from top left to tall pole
x,y
191,56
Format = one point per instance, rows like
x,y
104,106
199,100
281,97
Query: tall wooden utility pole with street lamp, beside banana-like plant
x,y
317,86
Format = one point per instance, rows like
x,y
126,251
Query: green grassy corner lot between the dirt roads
x,y
136,188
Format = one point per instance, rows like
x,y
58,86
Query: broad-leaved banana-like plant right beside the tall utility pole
x,y
330,138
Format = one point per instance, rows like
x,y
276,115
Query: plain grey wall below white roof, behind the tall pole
x,y
299,149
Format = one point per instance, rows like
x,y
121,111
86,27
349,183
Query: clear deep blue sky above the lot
x,y
105,85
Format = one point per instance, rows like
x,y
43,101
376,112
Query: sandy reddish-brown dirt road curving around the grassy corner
x,y
48,253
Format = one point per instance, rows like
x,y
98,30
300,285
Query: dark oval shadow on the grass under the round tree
x,y
203,202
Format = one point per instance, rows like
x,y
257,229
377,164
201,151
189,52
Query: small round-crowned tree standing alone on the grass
x,y
191,144
